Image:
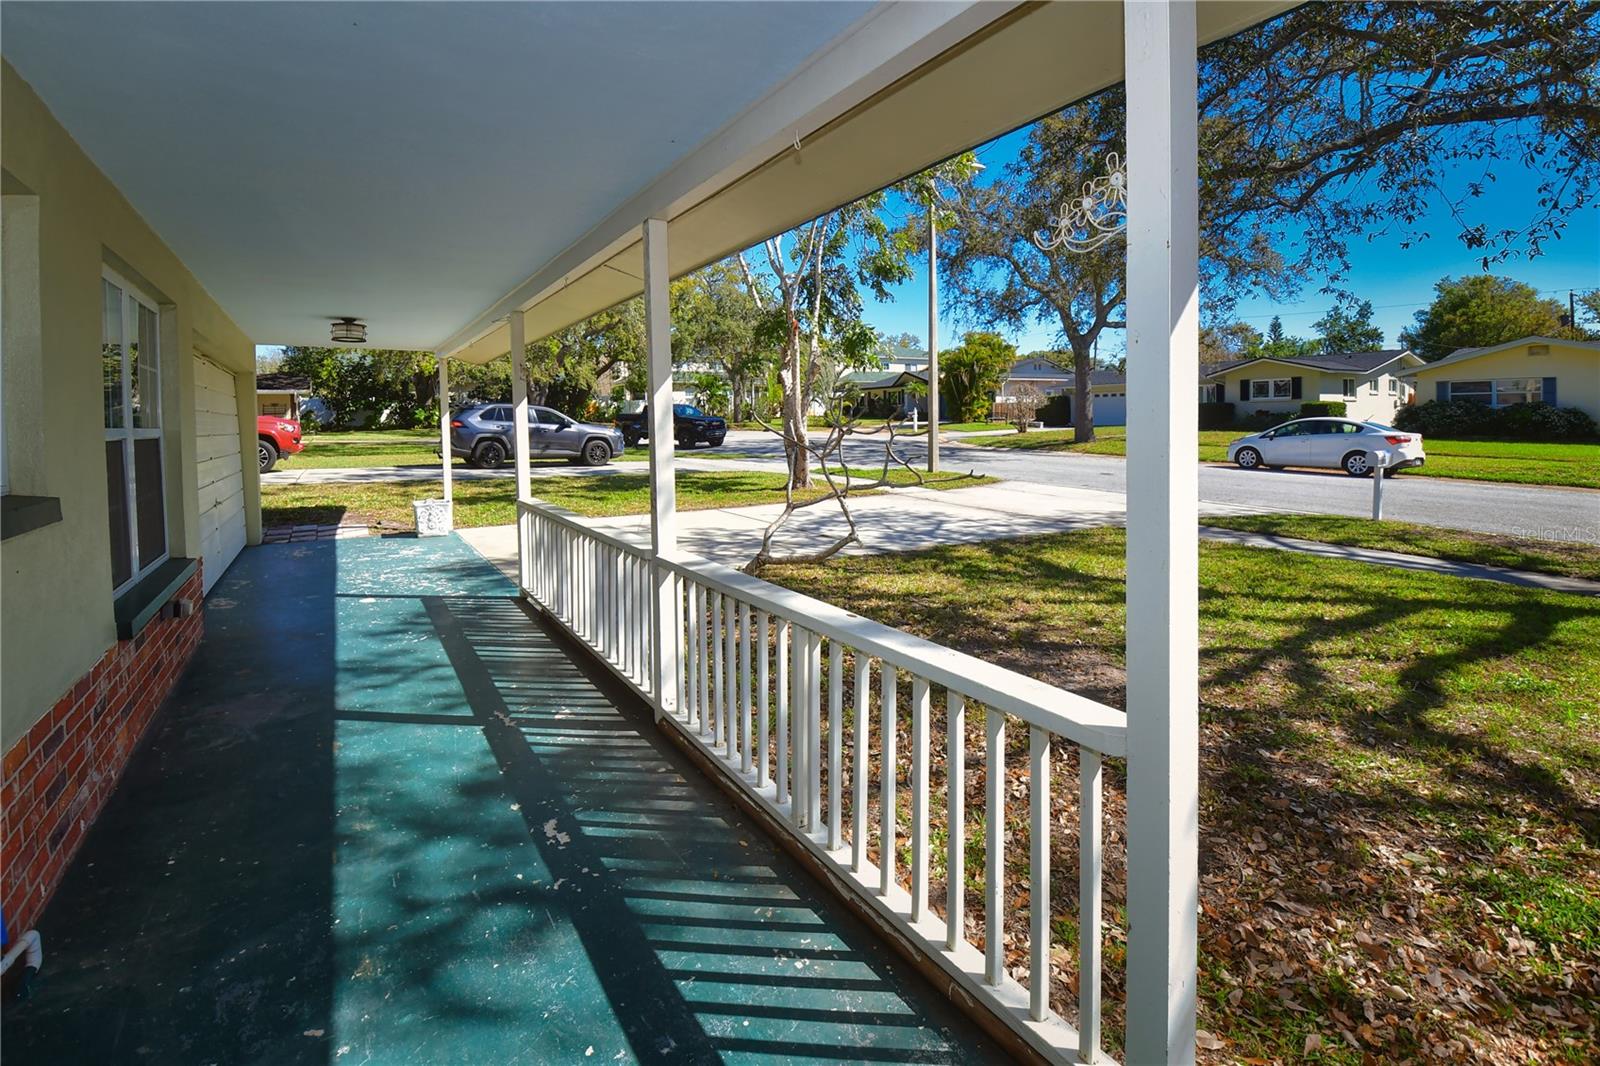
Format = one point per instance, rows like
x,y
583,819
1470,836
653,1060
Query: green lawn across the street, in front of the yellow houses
x,y
1526,463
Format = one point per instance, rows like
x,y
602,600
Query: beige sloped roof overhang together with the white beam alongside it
x,y
926,92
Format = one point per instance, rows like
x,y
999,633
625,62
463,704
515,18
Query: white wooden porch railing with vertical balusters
x,y
751,695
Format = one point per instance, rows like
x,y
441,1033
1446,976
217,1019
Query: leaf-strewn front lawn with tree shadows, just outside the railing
x,y
1401,788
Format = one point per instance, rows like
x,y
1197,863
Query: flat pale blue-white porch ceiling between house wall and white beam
x,y
407,164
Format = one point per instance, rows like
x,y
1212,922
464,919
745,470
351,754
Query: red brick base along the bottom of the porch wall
x,y
60,775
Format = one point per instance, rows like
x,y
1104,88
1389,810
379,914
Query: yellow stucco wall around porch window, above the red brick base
x,y
55,583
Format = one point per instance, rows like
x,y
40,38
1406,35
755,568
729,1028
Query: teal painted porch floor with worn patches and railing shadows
x,y
388,819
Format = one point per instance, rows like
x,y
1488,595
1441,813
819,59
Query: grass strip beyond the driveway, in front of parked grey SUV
x,y
494,502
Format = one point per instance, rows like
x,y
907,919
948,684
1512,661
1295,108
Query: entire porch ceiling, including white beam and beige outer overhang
x,y
433,167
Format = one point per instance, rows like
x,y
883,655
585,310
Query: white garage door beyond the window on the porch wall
x,y
218,471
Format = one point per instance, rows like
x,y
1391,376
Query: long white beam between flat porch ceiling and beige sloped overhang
x,y
890,42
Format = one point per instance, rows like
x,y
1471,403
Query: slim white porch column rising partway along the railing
x,y
663,484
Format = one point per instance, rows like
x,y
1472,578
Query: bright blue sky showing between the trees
x,y
1398,281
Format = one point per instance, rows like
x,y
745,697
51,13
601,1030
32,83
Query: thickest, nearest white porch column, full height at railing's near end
x,y
1162,539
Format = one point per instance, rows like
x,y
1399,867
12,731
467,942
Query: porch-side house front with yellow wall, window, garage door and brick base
x,y
111,535
